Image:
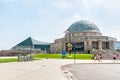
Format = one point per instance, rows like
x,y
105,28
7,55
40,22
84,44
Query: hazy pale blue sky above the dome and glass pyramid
x,y
46,20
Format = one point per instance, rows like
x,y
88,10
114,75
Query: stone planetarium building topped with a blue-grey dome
x,y
84,36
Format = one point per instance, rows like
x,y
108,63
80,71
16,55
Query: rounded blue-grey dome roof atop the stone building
x,y
83,26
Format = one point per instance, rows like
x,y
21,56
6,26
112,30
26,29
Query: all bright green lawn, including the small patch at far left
x,y
53,56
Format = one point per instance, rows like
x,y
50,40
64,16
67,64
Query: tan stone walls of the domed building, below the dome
x,y
102,41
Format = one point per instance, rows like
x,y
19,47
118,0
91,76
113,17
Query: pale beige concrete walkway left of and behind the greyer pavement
x,y
46,69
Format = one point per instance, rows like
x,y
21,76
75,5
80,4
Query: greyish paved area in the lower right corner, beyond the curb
x,y
94,71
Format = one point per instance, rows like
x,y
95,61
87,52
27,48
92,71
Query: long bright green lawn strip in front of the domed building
x,y
59,56
